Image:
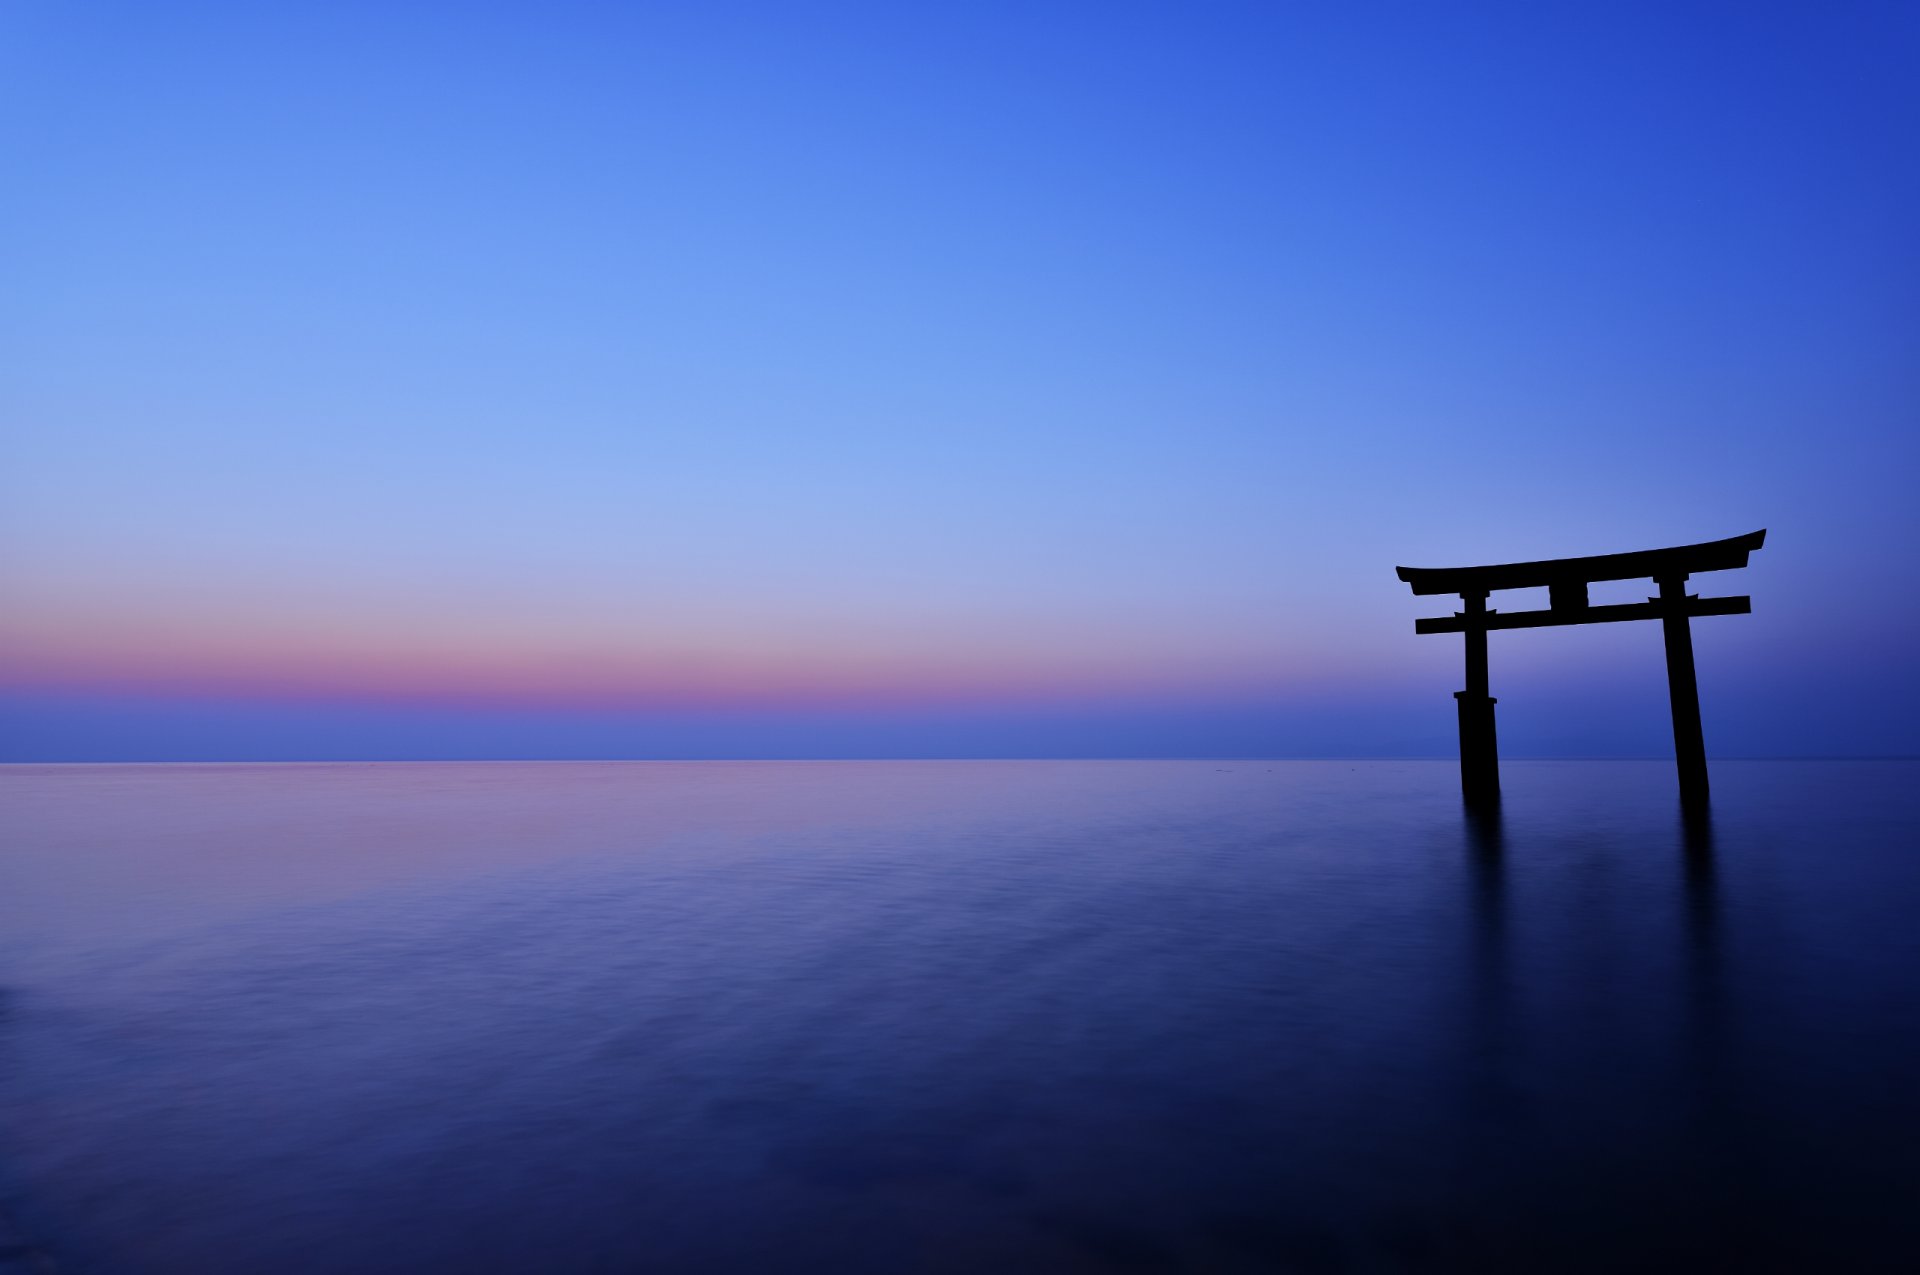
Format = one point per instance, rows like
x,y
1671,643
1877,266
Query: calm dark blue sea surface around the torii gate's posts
x,y
959,1017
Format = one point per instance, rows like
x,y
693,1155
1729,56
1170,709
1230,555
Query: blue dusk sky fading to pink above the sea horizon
x,y
435,381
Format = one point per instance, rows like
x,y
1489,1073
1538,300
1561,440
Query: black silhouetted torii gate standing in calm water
x,y
1566,583
